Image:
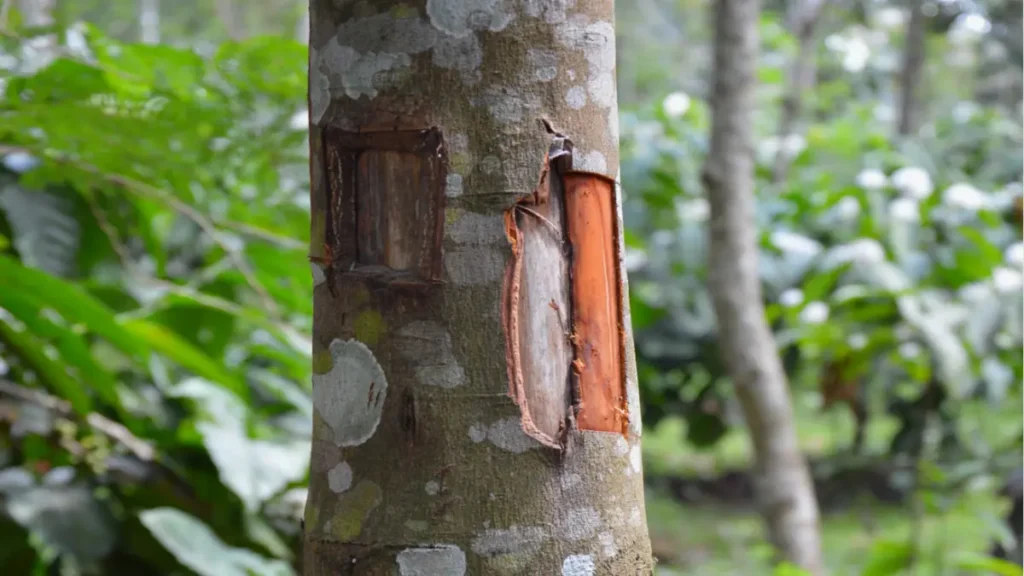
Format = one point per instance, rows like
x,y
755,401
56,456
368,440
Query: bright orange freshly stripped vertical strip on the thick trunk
x,y
598,324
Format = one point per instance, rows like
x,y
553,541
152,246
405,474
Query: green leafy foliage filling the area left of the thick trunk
x,y
154,289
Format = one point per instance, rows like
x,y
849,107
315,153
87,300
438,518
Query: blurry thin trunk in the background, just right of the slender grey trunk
x,y
803,19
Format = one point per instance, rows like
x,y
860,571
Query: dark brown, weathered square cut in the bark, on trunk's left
x,y
387,196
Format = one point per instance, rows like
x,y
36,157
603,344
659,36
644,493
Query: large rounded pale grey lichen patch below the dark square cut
x,y
351,397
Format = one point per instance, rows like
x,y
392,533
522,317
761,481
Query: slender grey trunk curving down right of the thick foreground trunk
x,y
784,487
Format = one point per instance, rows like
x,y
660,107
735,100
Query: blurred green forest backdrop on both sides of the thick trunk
x,y
156,310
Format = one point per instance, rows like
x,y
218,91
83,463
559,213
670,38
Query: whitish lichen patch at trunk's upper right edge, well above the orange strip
x,y
598,42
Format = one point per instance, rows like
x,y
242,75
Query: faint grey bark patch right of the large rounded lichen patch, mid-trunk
x,y
429,347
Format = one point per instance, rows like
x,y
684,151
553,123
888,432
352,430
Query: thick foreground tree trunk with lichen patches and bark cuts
x,y
476,394
